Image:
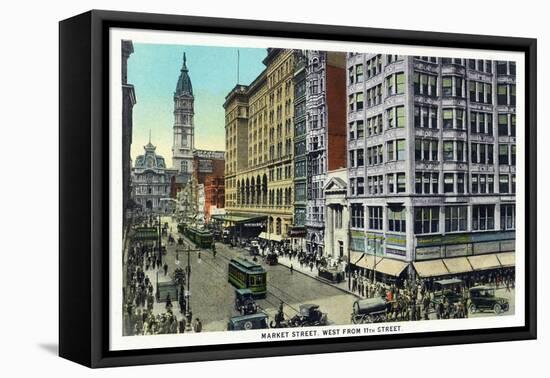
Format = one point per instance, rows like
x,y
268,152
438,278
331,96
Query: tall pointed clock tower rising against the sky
x,y
184,128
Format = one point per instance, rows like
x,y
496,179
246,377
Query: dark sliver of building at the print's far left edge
x,y
128,102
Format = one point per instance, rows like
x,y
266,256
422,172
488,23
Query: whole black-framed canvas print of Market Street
x,y
234,188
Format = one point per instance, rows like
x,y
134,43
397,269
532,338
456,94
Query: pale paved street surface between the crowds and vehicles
x,y
212,297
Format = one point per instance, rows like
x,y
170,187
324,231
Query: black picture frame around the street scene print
x,y
84,182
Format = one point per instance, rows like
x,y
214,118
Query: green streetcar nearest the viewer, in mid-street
x,y
245,274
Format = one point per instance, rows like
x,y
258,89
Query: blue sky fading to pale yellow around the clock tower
x,y
154,69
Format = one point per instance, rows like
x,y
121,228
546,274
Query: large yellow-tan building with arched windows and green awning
x,y
259,133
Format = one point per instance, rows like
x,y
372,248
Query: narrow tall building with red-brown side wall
x,y
325,135
